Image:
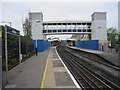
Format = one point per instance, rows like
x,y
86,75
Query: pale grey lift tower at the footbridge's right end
x,y
99,27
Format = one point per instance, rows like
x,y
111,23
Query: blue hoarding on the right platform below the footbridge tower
x,y
90,44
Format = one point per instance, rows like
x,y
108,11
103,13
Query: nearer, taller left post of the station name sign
x,y
6,54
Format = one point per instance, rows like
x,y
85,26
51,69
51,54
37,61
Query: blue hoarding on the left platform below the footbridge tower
x,y
42,45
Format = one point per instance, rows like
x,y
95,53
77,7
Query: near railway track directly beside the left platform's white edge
x,y
86,78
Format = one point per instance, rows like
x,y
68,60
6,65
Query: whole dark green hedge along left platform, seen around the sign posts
x,y
13,48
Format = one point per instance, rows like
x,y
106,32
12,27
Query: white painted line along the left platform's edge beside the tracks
x,y
75,82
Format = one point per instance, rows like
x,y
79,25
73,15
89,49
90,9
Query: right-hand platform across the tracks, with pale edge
x,y
113,58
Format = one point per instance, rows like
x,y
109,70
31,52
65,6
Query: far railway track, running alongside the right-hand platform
x,y
99,65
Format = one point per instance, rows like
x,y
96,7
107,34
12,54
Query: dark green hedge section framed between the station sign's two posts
x,y
13,49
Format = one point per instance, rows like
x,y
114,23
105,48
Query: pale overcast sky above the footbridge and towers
x,y
15,12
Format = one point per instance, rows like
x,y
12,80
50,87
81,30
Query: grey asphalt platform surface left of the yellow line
x,y
29,74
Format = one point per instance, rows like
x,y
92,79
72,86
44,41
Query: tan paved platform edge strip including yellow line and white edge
x,y
56,74
